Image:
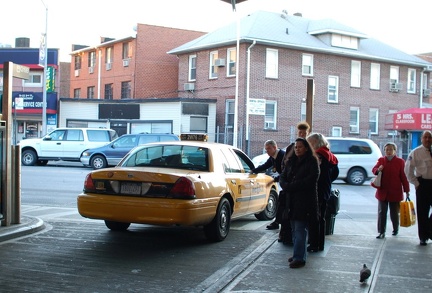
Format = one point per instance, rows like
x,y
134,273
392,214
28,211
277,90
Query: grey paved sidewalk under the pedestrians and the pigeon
x,y
398,264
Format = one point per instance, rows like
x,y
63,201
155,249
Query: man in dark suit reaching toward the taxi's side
x,y
274,161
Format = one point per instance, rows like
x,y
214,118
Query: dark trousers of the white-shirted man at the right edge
x,y
423,205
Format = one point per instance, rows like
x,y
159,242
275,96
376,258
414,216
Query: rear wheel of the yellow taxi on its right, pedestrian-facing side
x,y
218,228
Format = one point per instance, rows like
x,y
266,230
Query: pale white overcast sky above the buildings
x,y
403,25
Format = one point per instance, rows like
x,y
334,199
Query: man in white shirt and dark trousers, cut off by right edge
x,y
418,168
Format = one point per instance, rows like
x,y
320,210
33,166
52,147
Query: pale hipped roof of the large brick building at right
x,y
296,32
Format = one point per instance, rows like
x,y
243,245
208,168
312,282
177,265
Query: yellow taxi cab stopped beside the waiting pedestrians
x,y
191,183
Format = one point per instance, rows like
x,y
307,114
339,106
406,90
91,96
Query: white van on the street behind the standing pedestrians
x,y
356,157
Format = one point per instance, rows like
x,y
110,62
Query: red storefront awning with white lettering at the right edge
x,y
409,119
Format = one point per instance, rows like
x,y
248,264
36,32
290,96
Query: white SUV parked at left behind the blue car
x,y
66,144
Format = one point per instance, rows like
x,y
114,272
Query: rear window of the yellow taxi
x,y
169,156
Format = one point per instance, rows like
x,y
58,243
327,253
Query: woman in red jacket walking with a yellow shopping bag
x,y
393,184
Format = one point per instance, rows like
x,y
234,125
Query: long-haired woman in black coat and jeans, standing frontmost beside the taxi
x,y
299,181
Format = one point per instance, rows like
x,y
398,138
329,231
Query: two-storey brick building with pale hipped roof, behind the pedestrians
x,y
357,79
